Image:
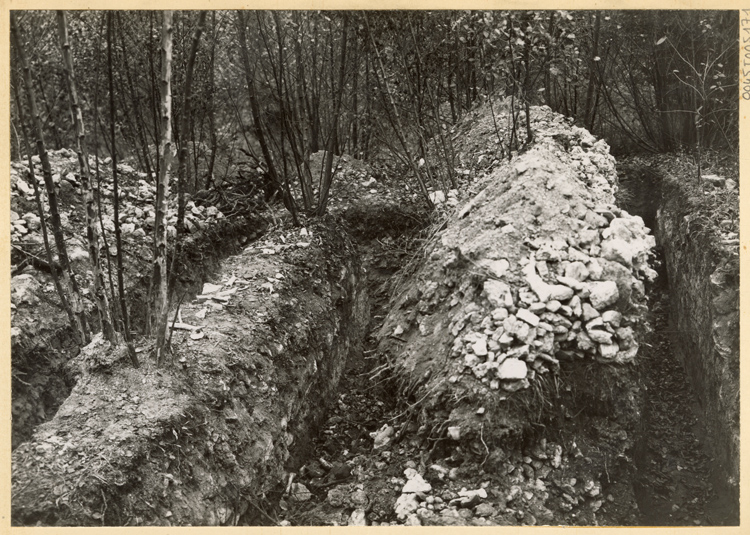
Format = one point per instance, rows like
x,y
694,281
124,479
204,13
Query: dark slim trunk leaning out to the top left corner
x,y
80,325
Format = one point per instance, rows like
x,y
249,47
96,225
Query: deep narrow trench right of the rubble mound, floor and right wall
x,y
686,454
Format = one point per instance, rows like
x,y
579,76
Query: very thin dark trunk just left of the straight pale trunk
x,y
116,195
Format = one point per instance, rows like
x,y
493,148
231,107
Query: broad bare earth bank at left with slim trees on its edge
x,y
197,442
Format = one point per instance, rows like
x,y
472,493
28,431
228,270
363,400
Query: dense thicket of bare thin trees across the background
x,y
256,93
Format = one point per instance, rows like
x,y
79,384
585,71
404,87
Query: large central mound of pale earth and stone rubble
x,y
537,271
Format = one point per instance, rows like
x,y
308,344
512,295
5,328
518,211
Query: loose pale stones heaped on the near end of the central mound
x,y
579,300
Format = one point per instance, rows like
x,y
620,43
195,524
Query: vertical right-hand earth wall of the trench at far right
x,y
703,273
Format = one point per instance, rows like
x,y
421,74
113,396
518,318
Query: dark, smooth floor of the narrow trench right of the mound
x,y
674,486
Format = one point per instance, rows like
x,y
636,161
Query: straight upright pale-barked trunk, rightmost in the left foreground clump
x,y
160,277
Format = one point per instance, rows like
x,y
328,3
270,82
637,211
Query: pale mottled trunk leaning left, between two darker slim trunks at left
x,y
92,230
